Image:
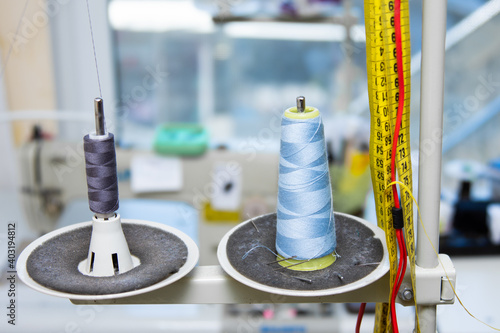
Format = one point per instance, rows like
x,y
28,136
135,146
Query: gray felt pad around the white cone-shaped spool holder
x,y
54,264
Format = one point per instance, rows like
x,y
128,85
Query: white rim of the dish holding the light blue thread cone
x,y
376,274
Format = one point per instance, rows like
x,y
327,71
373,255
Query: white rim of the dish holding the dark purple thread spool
x,y
191,261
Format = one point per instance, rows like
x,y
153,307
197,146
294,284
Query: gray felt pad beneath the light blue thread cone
x,y
355,244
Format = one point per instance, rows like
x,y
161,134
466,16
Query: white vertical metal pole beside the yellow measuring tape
x,y
431,130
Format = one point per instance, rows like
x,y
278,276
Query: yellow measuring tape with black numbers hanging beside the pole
x,y
383,88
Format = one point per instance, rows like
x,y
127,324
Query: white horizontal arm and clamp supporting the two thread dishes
x,y
211,285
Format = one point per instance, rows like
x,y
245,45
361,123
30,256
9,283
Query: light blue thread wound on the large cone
x,y
305,219
